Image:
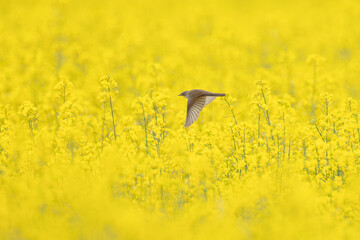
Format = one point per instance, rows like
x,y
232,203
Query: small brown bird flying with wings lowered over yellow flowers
x,y
197,100
